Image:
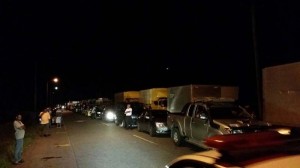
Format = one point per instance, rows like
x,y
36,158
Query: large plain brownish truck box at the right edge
x,y
281,94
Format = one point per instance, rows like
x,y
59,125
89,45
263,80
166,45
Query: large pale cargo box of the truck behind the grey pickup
x,y
180,95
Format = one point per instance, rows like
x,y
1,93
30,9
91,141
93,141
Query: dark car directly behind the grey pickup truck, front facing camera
x,y
153,121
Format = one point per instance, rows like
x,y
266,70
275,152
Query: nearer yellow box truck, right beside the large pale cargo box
x,y
154,98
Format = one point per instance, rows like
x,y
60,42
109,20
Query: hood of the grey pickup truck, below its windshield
x,y
241,123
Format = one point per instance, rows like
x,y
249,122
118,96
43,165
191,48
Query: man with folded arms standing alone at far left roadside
x,y
19,135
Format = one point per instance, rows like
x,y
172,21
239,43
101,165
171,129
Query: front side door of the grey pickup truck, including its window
x,y
199,124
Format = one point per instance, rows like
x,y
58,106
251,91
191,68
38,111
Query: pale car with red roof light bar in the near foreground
x,y
264,149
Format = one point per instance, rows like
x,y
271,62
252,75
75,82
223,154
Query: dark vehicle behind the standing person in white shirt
x,y
137,109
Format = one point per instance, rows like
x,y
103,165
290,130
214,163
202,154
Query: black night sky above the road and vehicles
x,y
98,48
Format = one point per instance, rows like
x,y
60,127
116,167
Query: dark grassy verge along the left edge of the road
x,y
7,142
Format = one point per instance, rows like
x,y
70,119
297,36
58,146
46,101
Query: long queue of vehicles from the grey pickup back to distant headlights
x,y
188,113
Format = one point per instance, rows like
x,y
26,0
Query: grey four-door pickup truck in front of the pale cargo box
x,y
202,119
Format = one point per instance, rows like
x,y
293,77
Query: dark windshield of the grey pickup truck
x,y
228,112
